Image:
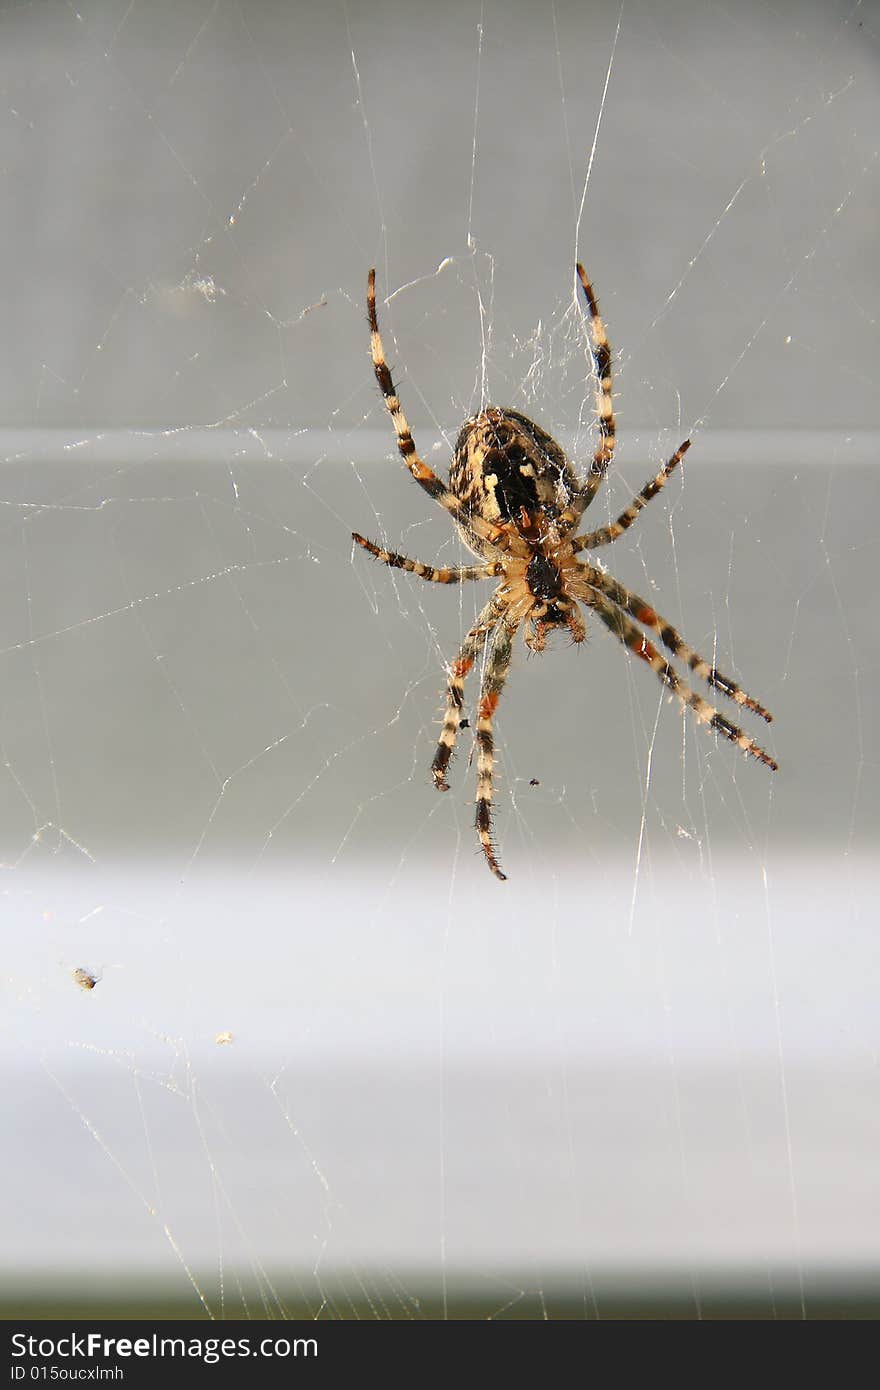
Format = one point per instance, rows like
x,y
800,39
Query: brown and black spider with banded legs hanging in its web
x,y
518,504
